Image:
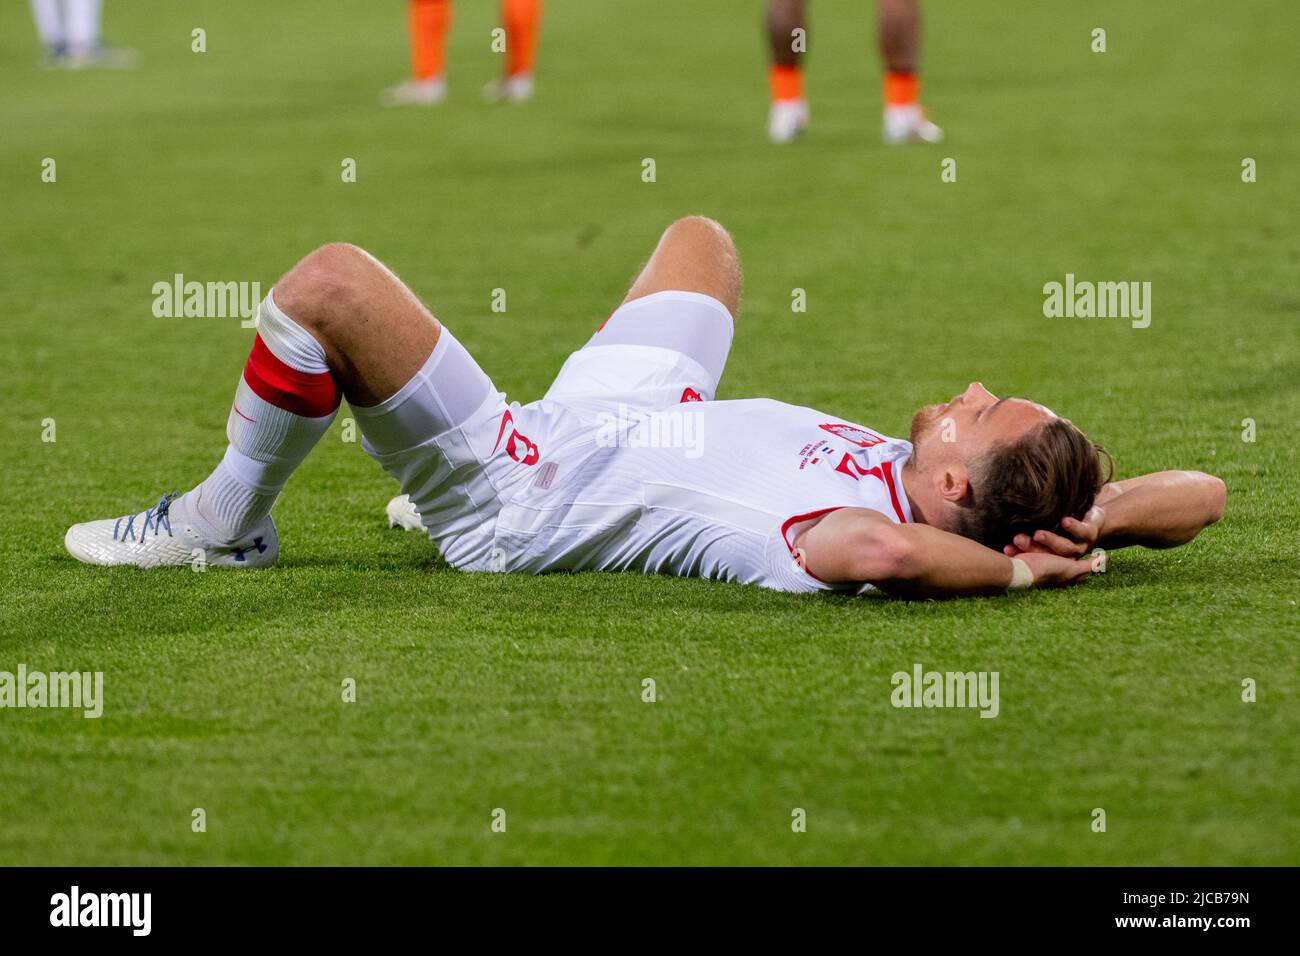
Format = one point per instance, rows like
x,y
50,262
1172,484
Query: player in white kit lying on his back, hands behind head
x,y
627,464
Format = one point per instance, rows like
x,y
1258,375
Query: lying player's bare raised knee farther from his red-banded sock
x,y
695,256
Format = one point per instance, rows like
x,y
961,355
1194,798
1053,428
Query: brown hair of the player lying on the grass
x,y
1033,483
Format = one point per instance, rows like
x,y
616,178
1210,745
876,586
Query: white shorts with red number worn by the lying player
x,y
463,462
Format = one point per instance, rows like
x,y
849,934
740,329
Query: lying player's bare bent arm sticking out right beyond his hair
x,y
1162,511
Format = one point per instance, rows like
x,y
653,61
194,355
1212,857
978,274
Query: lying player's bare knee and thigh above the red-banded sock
x,y
376,334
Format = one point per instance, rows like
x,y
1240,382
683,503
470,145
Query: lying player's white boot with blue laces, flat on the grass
x,y
166,535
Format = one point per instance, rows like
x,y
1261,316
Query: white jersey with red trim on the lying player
x,y
704,490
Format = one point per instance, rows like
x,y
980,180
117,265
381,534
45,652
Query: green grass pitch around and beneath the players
x,y
223,691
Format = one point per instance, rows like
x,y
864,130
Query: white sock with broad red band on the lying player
x,y
285,403
